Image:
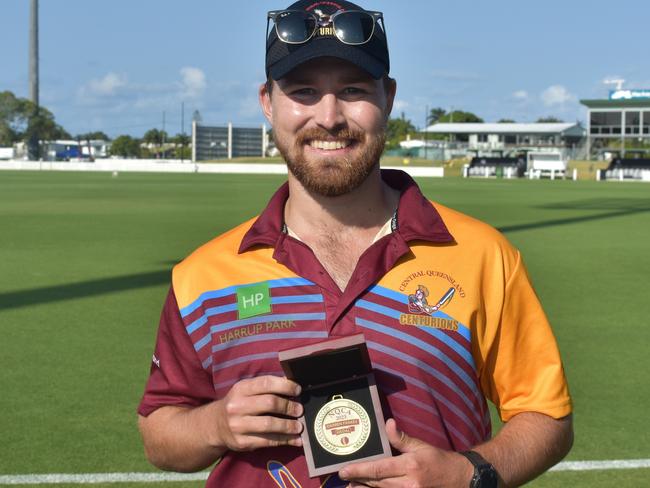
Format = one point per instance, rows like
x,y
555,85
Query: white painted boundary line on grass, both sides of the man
x,y
90,478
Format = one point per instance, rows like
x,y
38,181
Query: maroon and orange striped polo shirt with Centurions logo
x,y
444,301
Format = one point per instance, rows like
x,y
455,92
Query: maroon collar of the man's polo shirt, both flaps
x,y
417,219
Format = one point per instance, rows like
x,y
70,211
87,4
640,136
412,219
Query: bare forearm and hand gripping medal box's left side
x,y
257,412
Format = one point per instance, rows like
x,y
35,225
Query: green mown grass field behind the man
x,y
85,261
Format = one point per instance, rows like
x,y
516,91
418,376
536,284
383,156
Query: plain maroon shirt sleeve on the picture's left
x,y
176,376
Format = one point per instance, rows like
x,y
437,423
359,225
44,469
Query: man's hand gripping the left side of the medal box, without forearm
x,y
258,412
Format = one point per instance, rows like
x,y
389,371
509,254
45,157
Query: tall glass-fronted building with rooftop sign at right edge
x,y
620,125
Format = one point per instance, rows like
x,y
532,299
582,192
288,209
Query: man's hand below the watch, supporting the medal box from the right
x,y
418,465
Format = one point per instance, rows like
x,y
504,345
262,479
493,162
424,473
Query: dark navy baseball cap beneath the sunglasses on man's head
x,y
282,57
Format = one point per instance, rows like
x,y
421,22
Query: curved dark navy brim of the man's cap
x,y
326,47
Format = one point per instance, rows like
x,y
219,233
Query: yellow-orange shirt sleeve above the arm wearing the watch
x,y
522,370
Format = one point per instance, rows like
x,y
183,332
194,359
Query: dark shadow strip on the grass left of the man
x,y
82,289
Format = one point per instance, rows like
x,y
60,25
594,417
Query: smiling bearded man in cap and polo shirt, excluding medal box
x,y
338,251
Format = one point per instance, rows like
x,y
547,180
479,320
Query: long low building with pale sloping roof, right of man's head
x,y
510,139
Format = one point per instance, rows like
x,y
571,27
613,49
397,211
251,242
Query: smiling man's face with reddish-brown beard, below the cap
x,y
329,120
